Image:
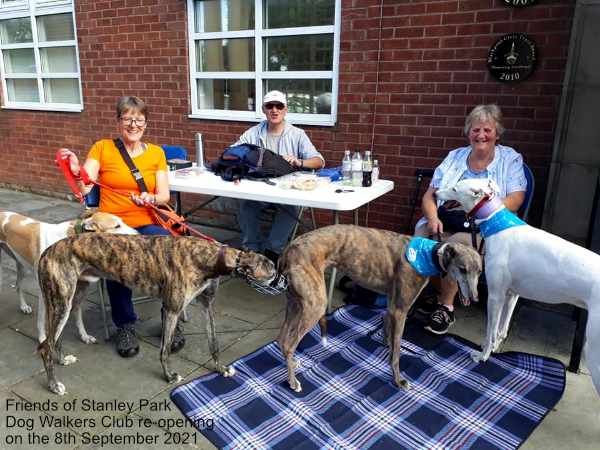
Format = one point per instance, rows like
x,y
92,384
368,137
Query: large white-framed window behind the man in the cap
x,y
241,49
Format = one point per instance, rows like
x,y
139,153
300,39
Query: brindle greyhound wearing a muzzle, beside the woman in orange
x,y
175,269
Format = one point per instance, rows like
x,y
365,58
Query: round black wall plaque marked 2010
x,y
512,58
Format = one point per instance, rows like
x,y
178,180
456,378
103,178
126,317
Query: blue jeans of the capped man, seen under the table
x,y
281,228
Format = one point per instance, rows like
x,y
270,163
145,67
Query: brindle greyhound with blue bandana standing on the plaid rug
x,y
374,259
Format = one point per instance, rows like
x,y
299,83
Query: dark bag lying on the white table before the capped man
x,y
250,161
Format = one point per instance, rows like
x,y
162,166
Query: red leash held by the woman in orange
x,y
171,216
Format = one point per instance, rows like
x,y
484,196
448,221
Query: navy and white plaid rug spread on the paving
x,y
349,400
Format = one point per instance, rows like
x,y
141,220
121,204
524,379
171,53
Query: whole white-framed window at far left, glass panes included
x,y
38,55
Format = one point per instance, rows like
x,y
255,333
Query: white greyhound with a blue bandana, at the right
x,y
521,260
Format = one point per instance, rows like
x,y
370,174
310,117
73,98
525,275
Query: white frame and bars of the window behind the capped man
x,y
258,75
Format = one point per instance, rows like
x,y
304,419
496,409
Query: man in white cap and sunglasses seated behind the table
x,y
292,143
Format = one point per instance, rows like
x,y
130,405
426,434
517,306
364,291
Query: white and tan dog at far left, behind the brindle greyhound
x,y
25,239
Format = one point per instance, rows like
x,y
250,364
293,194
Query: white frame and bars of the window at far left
x,y
33,10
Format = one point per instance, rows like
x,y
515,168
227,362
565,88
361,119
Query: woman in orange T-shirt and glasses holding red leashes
x,y
106,165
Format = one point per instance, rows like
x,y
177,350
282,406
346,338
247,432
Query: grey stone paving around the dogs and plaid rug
x,y
246,321
